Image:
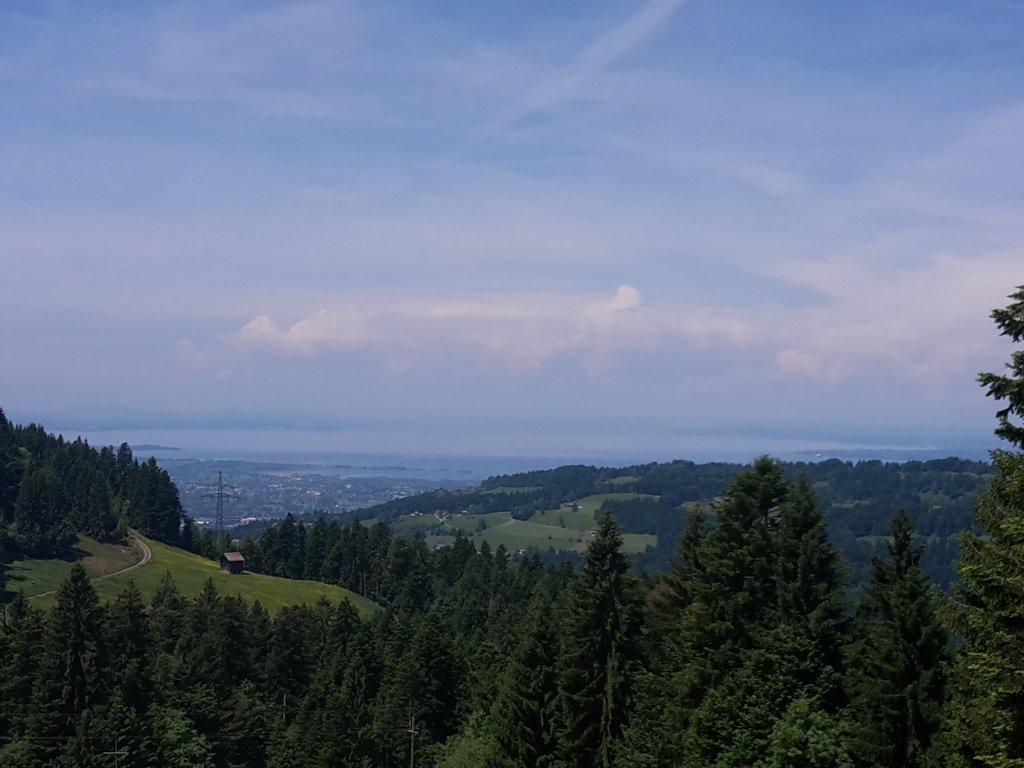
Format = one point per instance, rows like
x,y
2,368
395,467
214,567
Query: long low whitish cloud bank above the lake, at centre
x,y
522,332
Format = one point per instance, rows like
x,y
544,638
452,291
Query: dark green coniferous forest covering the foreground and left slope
x,y
753,649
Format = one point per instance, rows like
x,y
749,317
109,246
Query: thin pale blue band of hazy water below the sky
x,y
327,445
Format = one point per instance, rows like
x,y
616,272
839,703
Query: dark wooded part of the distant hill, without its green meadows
x,y
859,499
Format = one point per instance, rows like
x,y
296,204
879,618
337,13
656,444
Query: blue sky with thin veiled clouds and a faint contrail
x,y
590,222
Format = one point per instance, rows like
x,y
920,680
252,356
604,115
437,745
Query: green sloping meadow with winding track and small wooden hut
x,y
190,573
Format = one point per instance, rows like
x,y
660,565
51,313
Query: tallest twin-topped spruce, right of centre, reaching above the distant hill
x,y
787,651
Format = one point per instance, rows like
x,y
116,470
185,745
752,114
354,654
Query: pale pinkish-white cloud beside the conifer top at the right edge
x,y
926,323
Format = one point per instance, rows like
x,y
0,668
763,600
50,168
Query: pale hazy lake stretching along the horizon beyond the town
x,y
363,452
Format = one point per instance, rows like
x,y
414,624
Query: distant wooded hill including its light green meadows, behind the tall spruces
x,y
654,500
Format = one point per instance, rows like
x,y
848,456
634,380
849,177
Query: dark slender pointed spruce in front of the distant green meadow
x,y
601,653
